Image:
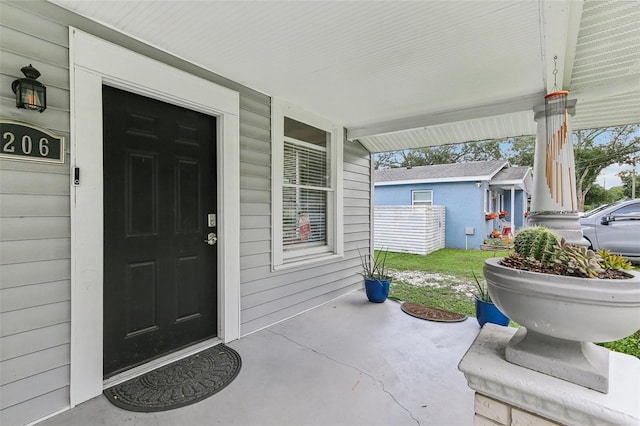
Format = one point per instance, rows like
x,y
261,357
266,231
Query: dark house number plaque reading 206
x,y
22,141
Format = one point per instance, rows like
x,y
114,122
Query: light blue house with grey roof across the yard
x,y
470,192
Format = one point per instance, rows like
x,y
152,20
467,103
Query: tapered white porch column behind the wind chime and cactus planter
x,y
554,200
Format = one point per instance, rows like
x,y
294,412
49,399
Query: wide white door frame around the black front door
x,y
94,62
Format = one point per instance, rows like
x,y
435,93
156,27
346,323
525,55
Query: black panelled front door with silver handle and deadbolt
x,y
159,192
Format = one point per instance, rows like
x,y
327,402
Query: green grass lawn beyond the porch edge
x,y
455,265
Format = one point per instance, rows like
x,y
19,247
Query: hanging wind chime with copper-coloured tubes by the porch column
x,y
558,155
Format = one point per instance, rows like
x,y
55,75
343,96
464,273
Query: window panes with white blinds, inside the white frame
x,y
305,186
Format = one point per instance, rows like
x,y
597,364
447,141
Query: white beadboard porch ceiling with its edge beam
x,y
407,74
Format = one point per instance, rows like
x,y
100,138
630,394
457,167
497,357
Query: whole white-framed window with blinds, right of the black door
x,y
307,219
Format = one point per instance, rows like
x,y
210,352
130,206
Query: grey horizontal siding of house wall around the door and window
x,y
35,226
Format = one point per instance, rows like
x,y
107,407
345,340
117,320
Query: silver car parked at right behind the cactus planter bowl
x,y
615,227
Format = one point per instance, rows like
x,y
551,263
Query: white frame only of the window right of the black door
x,y
335,223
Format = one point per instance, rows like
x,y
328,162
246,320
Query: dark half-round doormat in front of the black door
x,y
180,383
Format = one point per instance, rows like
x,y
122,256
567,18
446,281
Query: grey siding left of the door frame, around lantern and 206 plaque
x,y
35,231
